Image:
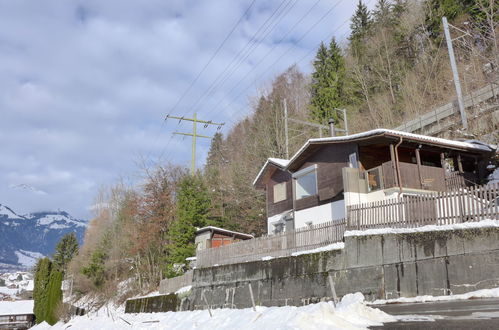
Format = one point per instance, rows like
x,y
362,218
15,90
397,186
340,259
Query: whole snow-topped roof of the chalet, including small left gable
x,y
472,145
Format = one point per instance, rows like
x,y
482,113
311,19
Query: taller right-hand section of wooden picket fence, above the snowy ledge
x,y
467,204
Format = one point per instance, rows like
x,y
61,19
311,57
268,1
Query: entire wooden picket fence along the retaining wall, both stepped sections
x,y
474,203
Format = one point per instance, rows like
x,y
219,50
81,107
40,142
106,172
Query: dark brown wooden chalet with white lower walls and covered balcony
x,y
328,174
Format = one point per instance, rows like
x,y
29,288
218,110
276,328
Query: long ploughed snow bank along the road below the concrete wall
x,y
350,313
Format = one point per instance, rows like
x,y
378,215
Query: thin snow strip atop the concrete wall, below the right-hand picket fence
x,y
467,225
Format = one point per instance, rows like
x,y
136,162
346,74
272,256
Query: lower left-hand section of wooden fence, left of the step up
x,y
280,245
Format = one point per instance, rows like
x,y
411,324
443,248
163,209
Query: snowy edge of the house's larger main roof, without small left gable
x,y
383,131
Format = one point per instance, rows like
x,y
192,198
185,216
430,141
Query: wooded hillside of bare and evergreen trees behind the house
x,y
393,67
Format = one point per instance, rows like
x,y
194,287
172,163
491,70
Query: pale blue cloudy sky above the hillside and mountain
x,y
85,85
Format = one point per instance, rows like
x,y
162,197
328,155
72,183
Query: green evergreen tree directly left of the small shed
x,y
193,204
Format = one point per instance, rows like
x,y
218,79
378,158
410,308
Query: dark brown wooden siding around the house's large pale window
x,y
330,160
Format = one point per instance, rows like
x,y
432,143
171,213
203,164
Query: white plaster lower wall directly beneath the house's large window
x,y
320,214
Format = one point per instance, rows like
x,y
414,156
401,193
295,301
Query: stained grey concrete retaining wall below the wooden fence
x,y
379,266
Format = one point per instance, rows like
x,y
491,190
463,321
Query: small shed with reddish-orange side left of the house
x,y
212,237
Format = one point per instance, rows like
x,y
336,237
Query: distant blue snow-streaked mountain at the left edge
x,y
25,238
